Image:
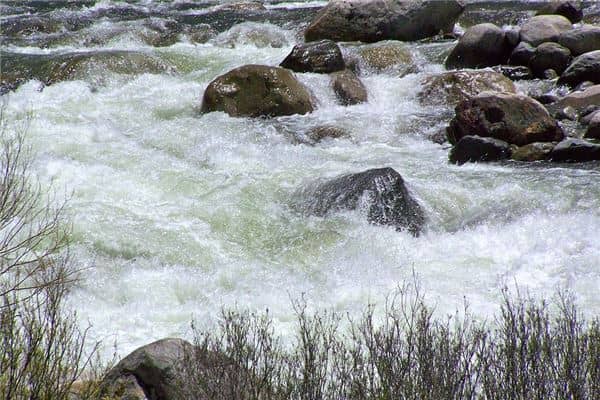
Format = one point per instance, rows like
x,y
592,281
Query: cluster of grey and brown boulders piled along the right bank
x,y
499,124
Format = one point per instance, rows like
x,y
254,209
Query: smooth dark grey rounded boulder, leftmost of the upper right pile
x,y
482,45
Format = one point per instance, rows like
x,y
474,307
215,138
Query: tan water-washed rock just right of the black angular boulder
x,y
389,56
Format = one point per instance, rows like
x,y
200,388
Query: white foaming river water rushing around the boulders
x,y
177,214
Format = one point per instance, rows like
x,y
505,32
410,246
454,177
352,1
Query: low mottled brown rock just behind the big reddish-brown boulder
x,y
455,86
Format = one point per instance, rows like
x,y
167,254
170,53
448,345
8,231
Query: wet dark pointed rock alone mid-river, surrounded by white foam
x,y
380,192
